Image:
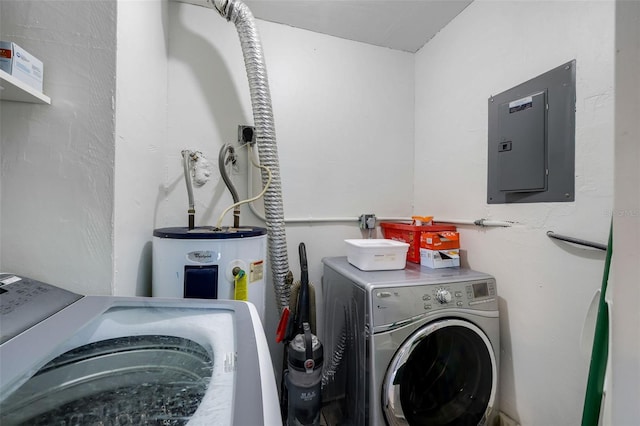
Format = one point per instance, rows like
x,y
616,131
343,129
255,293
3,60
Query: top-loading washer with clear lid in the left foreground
x,y
77,360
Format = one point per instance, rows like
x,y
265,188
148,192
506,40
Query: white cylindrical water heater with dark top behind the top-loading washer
x,y
203,262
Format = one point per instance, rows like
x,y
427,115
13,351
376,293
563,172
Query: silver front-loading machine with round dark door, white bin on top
x,y
416,346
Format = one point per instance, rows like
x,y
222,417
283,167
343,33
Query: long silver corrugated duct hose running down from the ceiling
x,y
238,13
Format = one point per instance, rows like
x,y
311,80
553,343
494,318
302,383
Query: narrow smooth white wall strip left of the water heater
x,y
141,138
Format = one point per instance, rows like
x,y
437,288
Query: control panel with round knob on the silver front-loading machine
x,y
398,304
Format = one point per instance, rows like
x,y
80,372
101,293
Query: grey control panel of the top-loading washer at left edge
x,y
25,302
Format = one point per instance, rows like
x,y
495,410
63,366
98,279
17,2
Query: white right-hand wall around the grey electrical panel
x,y
545,287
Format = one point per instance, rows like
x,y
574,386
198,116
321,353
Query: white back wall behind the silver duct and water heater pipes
x,y
344,122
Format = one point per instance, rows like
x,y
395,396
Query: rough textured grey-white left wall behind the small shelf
x,y
58,159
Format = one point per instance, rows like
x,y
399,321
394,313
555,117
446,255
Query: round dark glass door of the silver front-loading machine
x,y
444,374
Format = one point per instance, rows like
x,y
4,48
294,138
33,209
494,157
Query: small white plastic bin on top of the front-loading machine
x,y
377,254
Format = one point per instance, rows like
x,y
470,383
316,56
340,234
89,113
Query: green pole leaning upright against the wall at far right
x,y
600,350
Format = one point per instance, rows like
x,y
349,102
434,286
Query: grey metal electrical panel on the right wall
x,y
531,143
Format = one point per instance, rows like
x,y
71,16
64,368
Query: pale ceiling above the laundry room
x,y
396,24
